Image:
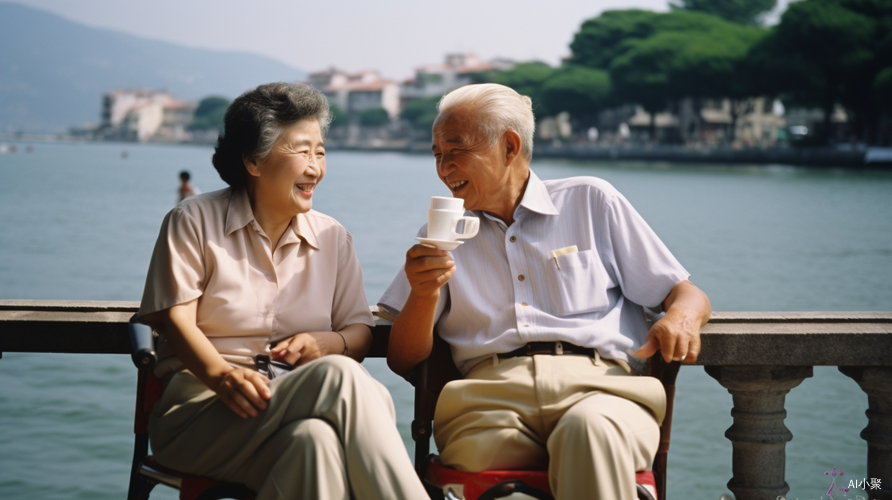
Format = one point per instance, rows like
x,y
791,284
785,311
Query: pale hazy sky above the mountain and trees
x,y
393,36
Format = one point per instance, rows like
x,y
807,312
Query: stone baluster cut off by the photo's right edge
x,y
876,381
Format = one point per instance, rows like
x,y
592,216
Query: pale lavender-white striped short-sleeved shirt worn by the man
x,y
527,283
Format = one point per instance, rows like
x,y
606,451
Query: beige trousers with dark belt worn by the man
x,y
588,421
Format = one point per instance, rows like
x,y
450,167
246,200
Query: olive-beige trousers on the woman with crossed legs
x,y
329,432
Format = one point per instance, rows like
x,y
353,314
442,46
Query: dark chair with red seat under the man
x,y
438,369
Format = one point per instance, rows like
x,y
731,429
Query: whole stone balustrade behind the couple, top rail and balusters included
x,y
757,356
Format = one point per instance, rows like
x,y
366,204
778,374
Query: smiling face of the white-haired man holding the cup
x,y
466,163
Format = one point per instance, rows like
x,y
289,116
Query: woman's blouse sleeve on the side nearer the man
x,y
349,305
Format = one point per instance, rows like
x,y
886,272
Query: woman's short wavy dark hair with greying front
x,y
254,121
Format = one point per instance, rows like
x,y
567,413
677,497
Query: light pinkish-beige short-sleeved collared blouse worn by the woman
x,y
250,294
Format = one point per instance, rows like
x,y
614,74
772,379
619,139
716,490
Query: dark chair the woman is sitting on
x,y
146,472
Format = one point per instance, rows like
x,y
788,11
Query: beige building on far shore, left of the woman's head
x,y
143,115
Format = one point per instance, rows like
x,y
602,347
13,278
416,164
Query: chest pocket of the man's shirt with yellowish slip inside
x,y
577,283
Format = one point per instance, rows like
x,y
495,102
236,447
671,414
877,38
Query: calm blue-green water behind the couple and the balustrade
x,y
78,221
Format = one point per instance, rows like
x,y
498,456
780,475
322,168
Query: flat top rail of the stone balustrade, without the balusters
x,y
731,338
